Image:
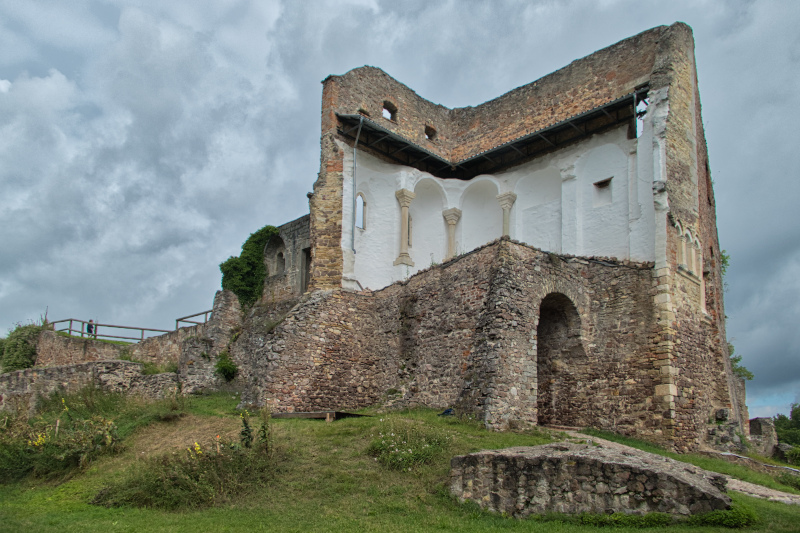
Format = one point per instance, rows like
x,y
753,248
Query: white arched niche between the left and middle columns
x,y
428,232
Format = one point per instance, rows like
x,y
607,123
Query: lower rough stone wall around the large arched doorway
x,y
464,334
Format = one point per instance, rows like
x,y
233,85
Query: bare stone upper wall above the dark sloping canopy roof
x,y
457,134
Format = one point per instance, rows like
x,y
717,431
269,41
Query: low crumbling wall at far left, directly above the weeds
x,y
22,388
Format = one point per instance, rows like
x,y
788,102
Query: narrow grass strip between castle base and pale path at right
x,y
705,462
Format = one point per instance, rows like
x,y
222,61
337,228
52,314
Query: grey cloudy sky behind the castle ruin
x,y
141,142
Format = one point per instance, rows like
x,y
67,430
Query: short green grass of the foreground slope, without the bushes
x,y
325,482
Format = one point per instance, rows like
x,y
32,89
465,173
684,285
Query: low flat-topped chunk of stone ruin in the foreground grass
x,y
578,478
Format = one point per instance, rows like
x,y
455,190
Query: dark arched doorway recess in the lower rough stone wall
x,y
561,363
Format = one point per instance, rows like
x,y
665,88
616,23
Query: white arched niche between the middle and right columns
x,y
481,215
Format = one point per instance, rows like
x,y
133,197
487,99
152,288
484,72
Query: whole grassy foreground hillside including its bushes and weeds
x,y
382,472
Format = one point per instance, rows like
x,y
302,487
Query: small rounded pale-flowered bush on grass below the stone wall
x,y
405,444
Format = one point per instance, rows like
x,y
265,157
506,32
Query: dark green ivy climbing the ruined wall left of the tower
x,y
245,274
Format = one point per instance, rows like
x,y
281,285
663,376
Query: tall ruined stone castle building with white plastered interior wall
x,y
547,257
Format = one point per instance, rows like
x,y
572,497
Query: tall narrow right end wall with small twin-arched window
x,y
696,378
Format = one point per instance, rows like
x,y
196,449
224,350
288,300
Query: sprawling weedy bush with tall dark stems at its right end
x,y
199,477
